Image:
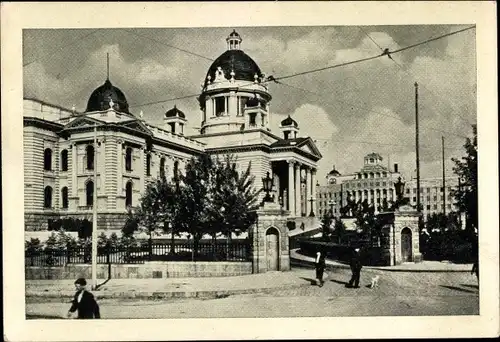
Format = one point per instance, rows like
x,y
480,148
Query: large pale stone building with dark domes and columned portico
x,y
130,152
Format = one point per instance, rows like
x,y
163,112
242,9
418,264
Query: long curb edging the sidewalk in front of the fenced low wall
x,y
210,294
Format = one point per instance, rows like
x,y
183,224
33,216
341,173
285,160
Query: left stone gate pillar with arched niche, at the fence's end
x,y
270,240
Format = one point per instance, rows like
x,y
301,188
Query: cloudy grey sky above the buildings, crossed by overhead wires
x,y
349,111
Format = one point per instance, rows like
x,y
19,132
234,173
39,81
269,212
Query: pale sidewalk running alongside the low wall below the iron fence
x,y
176,287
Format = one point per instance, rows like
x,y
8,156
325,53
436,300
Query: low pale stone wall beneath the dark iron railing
x,y
177,269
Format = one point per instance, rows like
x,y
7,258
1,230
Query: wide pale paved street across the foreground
x,y
399,293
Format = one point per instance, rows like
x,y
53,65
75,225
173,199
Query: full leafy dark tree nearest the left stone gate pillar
x,y
215,198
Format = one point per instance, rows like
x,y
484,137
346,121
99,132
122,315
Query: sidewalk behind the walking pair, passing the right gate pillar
x,y
425,266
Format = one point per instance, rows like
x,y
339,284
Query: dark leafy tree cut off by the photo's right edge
x,y
466,169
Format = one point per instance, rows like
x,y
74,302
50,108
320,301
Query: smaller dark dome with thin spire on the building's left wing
x,y
100,99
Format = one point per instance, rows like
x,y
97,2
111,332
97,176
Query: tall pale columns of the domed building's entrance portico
x,y
294,190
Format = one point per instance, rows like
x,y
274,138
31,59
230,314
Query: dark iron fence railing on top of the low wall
x,y
236,250
